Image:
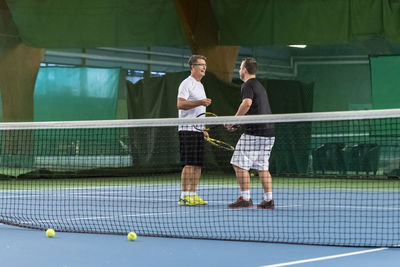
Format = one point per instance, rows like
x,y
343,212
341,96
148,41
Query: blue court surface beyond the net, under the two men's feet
x,y
310,216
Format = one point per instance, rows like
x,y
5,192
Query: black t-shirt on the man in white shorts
x,y
254,90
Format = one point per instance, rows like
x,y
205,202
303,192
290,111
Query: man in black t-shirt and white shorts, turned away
x,y
254,146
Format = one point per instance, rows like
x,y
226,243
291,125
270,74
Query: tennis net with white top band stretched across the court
x,y
335,179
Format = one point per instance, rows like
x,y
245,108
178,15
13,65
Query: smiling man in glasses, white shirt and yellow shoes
x,y
192,101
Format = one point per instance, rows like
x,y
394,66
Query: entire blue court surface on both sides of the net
x,y
330,215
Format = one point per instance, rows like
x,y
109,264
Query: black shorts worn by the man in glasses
x,y
191,148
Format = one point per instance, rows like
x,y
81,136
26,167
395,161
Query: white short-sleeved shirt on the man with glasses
x,y
191,90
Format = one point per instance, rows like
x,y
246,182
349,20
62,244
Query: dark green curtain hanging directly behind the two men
x,y
158,148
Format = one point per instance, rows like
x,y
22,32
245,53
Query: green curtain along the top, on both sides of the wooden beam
x,y
123,23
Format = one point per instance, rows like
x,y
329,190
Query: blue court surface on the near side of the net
x,y
21,247
